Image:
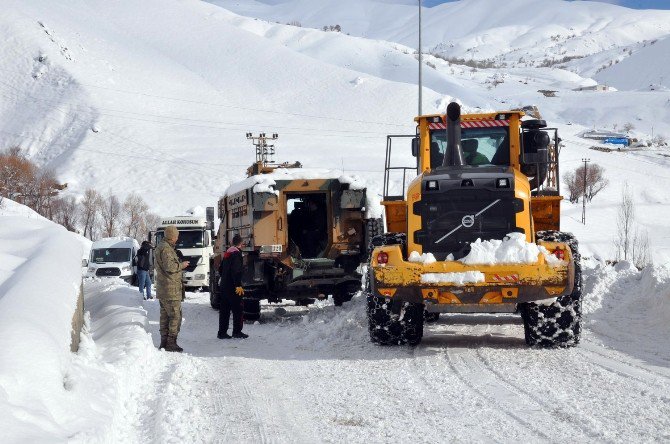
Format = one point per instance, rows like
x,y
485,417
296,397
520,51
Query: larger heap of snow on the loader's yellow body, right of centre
x,y
512,250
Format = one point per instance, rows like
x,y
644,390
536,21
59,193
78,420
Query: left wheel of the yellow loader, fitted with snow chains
x,y
388,328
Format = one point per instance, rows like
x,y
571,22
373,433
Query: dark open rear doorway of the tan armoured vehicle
x,y
307,224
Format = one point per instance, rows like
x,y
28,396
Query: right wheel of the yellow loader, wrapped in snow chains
x,y
557,324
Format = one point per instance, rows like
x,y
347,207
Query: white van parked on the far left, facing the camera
x,y
114,257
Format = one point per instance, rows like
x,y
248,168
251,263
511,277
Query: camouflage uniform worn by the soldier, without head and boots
x,y
169,291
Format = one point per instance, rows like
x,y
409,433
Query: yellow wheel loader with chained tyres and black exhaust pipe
x,y
479,177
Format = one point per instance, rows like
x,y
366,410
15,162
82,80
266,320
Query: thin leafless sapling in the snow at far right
x,y
631,244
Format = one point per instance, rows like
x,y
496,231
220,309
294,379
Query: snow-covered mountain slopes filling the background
x,y
157,96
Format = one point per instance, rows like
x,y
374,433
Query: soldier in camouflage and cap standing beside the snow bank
x,y
169,291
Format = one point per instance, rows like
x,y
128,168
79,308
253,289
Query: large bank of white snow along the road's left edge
x,y
47,393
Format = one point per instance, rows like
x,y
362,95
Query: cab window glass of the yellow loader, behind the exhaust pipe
x,y
481,146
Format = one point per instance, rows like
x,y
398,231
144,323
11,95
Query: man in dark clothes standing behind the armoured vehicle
x,y
231,291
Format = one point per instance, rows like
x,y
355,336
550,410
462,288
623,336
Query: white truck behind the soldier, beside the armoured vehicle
x,y
195,242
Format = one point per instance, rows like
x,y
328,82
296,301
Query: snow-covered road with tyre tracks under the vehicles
x,y
312,376
